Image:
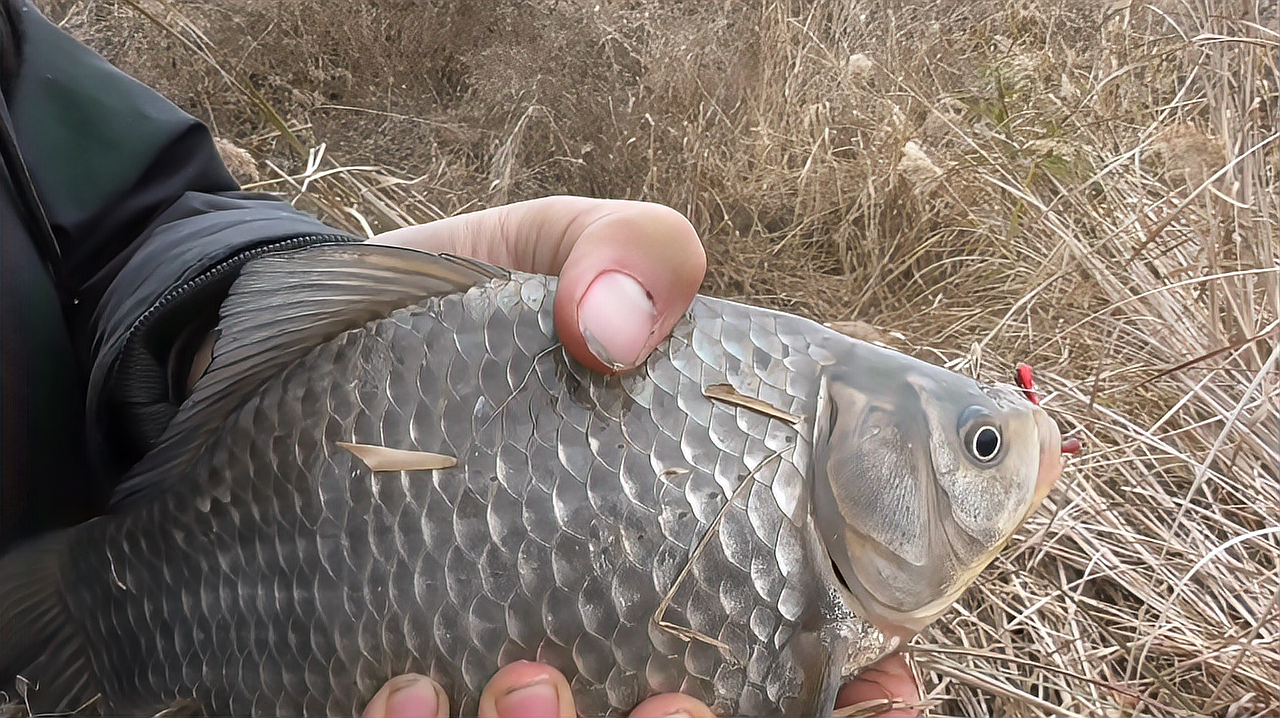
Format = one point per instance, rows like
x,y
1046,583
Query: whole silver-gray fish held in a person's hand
x,y
392,465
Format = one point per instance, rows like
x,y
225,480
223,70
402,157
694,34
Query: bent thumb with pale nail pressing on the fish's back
x,y
628,271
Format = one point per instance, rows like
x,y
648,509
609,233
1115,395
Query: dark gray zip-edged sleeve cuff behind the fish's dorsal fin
x,y
167,294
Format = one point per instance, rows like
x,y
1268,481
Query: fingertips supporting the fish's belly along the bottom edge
x,y
536,690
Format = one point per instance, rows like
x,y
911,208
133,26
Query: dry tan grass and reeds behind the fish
x,y
1086,186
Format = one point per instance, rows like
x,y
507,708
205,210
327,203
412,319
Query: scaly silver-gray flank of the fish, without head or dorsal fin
x,y
286,578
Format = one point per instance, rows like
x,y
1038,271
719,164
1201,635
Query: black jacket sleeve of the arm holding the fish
x,y
150,228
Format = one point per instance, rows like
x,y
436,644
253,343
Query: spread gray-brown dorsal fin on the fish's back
x,y
280,309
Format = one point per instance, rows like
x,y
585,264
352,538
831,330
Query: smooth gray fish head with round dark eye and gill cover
x,y
921,477
